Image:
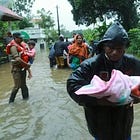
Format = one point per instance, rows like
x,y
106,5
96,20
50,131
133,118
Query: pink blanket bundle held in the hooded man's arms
x,y
118,88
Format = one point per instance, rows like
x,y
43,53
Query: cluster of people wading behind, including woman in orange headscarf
x,y
70,54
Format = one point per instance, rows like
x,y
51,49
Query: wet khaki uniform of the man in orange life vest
x,y
19,73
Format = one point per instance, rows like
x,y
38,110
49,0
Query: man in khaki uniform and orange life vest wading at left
x,y
19,66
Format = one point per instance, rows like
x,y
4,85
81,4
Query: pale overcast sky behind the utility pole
x,y
64,9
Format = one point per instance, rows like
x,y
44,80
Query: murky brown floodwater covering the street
x,y
49,114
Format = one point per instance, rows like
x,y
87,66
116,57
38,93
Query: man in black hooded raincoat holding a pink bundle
x,y
106,120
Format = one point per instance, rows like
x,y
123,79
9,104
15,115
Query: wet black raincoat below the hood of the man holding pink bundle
x,y
105,120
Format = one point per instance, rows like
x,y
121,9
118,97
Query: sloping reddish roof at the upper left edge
x,y
8,15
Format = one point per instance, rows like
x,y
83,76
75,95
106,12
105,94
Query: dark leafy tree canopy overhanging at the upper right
x,y
90,11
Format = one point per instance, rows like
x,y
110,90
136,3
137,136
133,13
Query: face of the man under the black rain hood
x,y
114,53
